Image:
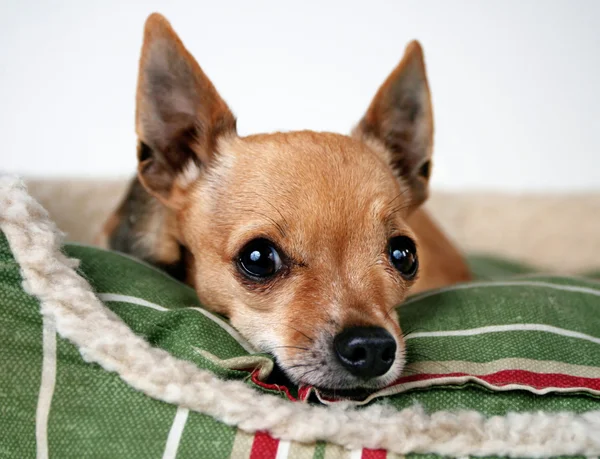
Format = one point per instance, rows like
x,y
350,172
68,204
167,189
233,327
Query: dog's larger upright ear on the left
x,y
179,114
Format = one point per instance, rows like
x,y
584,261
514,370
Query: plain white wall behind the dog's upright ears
x,y
516,83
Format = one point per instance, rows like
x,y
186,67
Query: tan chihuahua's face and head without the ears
x,y
293,237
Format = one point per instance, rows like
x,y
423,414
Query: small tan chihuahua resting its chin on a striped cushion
x,y
307,241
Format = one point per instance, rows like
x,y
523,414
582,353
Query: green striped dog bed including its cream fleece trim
x,y
483,358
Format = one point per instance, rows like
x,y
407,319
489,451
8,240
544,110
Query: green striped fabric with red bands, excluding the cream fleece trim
x,y
525,343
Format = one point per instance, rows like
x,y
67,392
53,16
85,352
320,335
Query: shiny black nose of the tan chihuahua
x,y
365,351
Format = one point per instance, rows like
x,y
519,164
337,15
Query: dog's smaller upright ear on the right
x,y
400,116
